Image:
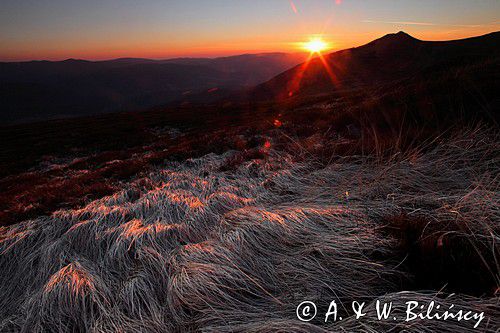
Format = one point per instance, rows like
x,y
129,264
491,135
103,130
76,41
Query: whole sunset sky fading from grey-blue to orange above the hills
x,y
106,29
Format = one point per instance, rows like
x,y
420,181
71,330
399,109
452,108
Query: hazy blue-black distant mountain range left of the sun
x,y
41,90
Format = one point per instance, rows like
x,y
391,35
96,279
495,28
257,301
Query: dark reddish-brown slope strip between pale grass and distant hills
x,y
83,149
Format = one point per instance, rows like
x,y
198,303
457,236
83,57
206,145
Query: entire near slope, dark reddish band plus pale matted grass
x,y
134,227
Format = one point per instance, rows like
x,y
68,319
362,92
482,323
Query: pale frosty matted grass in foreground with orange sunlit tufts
x,y
193,248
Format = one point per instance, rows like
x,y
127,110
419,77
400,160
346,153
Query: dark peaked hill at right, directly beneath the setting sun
x,y
392,57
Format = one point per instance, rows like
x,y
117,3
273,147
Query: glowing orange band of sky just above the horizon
x,y
156,50
